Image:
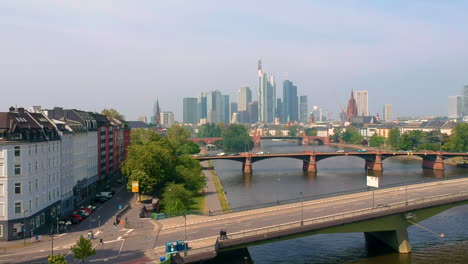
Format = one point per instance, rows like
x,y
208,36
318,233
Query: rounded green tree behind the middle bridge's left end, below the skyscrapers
x,y
236,138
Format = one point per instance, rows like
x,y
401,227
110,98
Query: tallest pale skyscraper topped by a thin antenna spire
x,y
266,96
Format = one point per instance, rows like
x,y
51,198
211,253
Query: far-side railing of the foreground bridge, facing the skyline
x,y
327,195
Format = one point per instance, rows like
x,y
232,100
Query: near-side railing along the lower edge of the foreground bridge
x,y
342,216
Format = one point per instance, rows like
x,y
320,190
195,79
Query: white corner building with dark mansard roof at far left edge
x,y
30,160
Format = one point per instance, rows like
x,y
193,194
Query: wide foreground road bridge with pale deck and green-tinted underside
x,y
385,218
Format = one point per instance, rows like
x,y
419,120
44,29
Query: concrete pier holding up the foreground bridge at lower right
x,y
396,239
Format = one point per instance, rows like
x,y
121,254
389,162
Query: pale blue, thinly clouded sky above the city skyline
x,y
91,55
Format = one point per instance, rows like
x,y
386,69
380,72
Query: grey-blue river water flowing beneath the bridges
x,y
283,179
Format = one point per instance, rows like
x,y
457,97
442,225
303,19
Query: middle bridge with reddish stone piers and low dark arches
x,y
373,159
